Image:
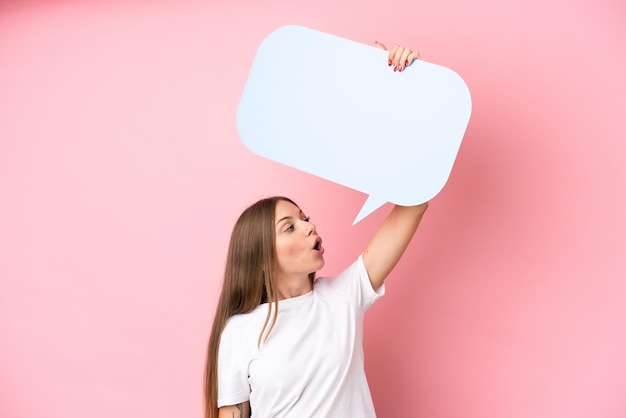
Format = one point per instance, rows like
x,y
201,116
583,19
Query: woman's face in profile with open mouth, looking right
x,y
298,247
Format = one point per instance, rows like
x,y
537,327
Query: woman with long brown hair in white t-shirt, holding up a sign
x,y
282,343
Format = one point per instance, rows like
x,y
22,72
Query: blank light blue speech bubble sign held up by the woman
x,y
333,108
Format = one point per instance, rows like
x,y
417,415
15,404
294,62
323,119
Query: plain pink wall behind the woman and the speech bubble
x,y
121,175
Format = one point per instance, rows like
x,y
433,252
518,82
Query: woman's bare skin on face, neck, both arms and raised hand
x,y
296,237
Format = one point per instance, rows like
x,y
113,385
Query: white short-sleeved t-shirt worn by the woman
x,y
312,364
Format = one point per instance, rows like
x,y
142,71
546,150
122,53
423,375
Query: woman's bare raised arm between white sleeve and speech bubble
x,y
389,242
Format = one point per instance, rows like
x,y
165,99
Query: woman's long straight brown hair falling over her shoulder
x,y
249,280
